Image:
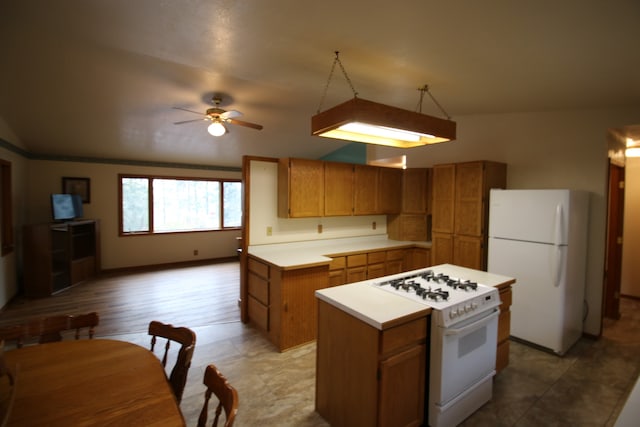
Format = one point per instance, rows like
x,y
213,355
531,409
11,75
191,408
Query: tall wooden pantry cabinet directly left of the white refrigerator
x,y
460,211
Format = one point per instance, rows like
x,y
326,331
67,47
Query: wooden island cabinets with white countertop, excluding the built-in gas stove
x,y
372,351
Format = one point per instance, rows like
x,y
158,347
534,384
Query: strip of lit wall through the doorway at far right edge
x,y
630,281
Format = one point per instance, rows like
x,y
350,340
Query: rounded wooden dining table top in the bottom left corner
x,y
91,382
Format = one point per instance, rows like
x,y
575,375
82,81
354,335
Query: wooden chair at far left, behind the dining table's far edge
x,y
50,329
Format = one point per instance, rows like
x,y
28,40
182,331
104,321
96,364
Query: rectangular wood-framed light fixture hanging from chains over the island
x,y
369,122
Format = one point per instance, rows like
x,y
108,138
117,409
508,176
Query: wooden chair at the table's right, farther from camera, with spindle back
x,y
187,339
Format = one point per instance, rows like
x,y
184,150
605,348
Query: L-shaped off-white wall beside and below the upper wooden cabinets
x,y
263,213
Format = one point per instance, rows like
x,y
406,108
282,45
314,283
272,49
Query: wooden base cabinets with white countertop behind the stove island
x,y
281,279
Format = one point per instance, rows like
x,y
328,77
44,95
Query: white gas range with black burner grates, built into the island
x,y
464,329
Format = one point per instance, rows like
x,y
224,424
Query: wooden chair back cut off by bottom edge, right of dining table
x,y
227,396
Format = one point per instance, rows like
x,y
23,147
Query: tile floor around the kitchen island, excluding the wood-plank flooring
x,y
586,387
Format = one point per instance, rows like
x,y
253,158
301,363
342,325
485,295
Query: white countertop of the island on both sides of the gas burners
x,y
382,309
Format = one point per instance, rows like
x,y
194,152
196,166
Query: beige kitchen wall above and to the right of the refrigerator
x,y
558,149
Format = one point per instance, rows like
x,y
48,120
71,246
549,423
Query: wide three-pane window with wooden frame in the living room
x,y
169,205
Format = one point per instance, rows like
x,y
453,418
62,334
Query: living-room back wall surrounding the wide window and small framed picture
x,y
45,177
